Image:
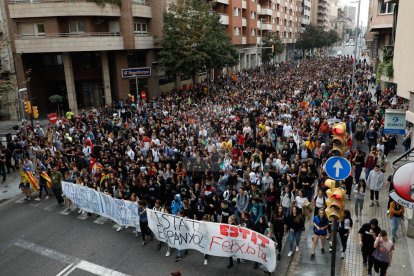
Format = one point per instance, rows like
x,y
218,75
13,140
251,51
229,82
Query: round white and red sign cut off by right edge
x,y
404,185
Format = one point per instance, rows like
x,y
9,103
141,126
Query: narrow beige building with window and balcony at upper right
x,y
380,28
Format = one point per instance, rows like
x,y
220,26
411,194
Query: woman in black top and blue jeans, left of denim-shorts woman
x,y
295,225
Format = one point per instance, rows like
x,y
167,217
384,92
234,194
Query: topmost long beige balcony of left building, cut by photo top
x,y
50,8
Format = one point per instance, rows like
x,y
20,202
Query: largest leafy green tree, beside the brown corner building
x,y
194,39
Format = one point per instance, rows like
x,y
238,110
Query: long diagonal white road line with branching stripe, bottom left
x,y
73,262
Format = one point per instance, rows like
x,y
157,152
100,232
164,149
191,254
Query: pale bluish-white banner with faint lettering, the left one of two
x,y
121,211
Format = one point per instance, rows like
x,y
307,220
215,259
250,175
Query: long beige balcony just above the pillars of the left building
x,y
69,42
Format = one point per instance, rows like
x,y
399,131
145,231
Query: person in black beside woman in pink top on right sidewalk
x,y
367,235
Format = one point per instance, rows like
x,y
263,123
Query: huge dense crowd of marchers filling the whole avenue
x,y
247,151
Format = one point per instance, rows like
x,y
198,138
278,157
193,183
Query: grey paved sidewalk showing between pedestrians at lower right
x,y
352,264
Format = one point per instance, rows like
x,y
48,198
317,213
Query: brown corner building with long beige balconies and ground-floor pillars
x,y
78,49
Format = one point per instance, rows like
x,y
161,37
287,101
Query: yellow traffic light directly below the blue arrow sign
x,y
335,203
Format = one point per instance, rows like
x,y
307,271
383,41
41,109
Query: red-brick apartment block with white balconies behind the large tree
x,y
248,20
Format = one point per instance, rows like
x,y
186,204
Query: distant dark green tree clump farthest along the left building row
x,y
314,37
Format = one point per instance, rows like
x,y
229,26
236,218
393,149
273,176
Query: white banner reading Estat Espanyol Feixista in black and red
x,y
215,239
